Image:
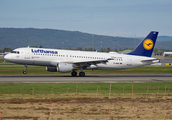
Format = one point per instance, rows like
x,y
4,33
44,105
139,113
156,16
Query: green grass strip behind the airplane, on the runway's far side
x,y
34,70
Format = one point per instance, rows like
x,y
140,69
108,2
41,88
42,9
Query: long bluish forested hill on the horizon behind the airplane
x,y
50,38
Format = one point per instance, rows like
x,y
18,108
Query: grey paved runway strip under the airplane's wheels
x,y
86,79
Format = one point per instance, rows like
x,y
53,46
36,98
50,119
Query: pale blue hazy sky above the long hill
x,y
125,18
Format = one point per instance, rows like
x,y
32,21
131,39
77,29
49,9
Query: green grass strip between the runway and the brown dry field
x,y
61,88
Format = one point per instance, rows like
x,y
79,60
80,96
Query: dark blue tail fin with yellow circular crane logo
x,y
146,47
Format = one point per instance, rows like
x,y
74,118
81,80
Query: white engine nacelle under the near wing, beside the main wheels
x,y
64,67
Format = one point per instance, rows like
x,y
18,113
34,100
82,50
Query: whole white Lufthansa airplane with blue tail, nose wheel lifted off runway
x,y
57,60
